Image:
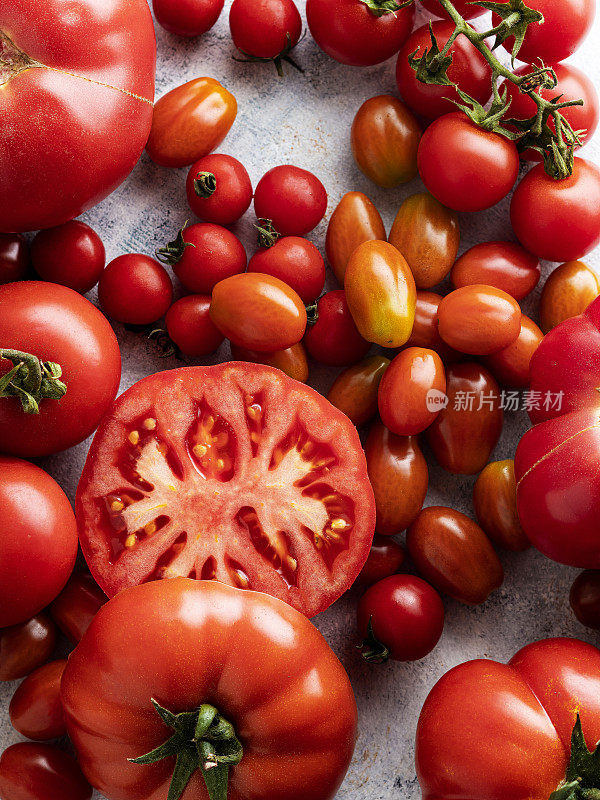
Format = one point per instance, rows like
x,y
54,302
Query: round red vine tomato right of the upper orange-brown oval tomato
x,y
464,166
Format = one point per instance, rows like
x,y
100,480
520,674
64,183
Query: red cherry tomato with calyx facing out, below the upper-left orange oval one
x,y
219,189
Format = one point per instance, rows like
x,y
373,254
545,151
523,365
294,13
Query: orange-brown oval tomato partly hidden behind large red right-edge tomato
x,y
495,503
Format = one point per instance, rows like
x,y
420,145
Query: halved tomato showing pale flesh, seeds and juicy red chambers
x,y
233,472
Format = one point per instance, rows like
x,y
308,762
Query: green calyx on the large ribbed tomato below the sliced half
x,y
203,740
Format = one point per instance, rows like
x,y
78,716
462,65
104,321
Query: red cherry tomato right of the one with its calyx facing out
x,y
293,199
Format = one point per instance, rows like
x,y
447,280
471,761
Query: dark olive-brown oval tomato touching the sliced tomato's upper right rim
x,y
355,390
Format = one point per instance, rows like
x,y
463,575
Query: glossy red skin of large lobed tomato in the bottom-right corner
x,y
489,730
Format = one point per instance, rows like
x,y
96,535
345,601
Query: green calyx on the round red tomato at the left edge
x,y
31,380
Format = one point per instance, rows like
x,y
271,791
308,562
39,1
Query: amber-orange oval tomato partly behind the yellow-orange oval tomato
x,y
427,234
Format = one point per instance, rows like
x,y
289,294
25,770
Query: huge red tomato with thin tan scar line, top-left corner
x,y
92,105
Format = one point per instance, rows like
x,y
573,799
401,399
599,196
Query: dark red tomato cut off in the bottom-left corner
x,y
40,772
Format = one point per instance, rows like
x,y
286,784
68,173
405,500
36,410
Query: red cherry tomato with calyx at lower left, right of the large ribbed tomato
x,y
400,617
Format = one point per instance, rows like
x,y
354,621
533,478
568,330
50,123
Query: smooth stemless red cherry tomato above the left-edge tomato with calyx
x,y
135,289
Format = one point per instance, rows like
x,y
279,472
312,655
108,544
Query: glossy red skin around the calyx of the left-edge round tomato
x,y
56,324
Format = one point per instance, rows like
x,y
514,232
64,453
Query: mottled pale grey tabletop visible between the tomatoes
x,y
305,120
